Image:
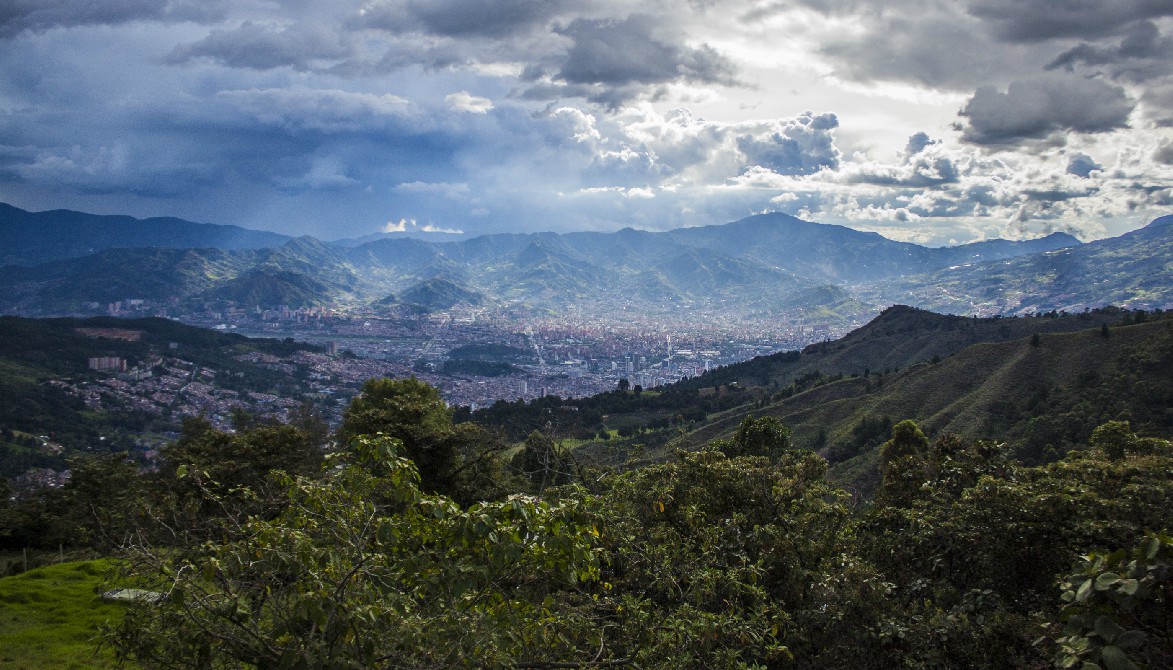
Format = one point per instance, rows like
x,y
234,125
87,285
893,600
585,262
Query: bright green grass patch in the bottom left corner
x,y
50,618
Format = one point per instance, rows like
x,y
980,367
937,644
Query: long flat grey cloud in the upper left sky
x,y
265,48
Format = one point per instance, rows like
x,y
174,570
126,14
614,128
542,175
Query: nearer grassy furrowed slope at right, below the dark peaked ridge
x,y
1041,396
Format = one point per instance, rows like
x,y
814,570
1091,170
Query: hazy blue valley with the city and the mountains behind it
x,y
592,309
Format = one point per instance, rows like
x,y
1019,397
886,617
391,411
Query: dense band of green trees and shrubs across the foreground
x,y
430,546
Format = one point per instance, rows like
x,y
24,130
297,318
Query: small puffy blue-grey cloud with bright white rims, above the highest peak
x,y
803,147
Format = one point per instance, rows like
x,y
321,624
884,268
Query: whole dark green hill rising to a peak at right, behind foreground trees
x,y
1041,384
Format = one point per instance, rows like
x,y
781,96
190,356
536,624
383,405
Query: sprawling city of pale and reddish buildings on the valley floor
x,y
572,355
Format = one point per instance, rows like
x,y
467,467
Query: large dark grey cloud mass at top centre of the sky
x,y
607,62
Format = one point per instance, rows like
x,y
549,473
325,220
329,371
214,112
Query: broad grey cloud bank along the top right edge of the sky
x,y
962,46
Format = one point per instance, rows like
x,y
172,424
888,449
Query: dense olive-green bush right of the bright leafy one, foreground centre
x,y
722,563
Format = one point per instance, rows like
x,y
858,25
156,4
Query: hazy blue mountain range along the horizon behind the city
x,y
769,265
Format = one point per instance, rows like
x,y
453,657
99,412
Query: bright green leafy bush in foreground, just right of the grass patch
x,y
363,570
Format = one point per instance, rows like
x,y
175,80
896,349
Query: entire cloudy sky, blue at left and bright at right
x,y
930,121
